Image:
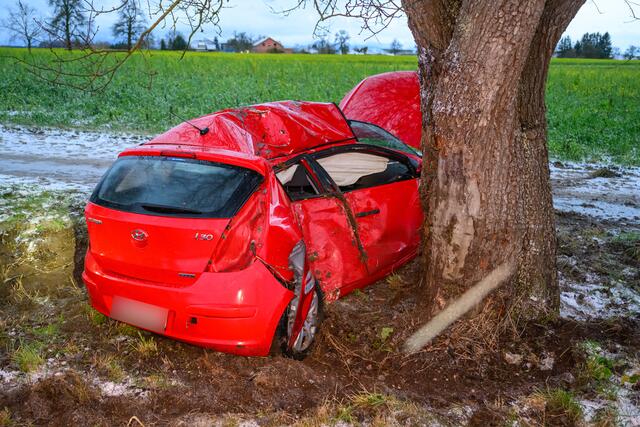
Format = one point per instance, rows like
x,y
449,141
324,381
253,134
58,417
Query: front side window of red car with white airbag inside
x,y
354,170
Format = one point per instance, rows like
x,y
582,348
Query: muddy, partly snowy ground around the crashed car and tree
x,y
61,363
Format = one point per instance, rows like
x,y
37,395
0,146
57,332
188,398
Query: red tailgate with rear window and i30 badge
x,y
159,219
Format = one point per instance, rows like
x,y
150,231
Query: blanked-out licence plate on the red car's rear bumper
x,y
139,314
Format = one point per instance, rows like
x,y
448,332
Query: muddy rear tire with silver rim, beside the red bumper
x,y
281,337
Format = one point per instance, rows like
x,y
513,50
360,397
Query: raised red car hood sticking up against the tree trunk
x,y
389,100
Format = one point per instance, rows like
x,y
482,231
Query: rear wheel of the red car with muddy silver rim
x,y
303,344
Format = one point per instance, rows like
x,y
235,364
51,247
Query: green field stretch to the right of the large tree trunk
x,y
594,110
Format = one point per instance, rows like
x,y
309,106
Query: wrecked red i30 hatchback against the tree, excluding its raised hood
x,y
230,230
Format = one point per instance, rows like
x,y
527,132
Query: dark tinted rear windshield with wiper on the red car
x,y
172,186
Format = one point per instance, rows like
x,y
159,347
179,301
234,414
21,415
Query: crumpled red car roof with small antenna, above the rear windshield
x,y
269,130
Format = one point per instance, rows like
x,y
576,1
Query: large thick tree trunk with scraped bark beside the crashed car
x,y
483,67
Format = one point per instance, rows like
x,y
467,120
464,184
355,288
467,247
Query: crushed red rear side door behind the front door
x,y
333,247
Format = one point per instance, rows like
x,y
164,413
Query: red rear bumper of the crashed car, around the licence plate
x,y
234,312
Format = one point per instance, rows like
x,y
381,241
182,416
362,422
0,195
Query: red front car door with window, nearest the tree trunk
x,y
381,188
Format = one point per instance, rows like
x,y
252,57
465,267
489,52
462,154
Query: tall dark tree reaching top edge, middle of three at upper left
x,y
68,21
